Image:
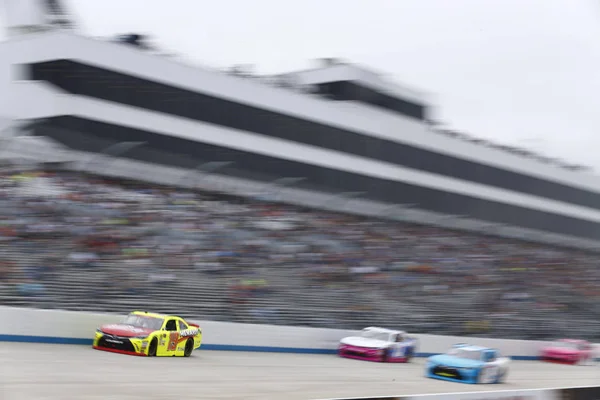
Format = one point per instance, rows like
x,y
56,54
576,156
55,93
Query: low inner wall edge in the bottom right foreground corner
x,y
572,393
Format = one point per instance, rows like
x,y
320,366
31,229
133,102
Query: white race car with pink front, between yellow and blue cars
x,y
379,344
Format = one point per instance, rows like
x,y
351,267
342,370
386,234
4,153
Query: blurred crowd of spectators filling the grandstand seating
x,y
89,243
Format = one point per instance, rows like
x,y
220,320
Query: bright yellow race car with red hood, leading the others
x,y
147,334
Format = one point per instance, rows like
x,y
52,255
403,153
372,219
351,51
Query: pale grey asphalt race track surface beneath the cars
x,y
63,372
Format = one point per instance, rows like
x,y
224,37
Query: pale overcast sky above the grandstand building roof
x,y
524,72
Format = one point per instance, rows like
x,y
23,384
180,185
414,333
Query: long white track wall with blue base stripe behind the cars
x,y
70,327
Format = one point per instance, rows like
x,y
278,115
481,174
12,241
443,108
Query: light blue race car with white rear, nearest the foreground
x,y
468,364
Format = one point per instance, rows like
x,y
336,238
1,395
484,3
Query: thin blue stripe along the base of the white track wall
x,y
218,347
